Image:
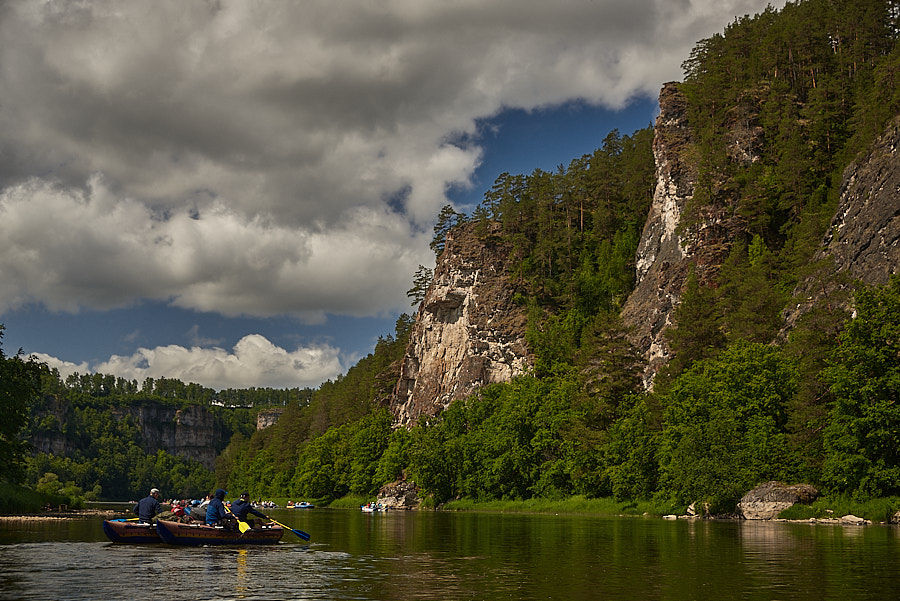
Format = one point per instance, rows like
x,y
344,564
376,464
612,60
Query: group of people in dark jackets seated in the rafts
x,y
213,511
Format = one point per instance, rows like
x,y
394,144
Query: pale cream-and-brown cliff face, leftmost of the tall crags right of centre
x,y
467,331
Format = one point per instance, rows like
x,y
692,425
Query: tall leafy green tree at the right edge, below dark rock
x,y
862,438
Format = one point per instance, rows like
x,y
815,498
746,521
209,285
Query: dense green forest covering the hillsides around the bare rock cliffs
x,y
779,104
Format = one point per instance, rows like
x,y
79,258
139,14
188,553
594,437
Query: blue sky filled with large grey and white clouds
x,y
239,195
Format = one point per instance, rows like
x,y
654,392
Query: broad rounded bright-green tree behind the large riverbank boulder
x,y
724,426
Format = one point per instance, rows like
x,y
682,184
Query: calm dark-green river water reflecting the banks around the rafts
x,y
459,556
